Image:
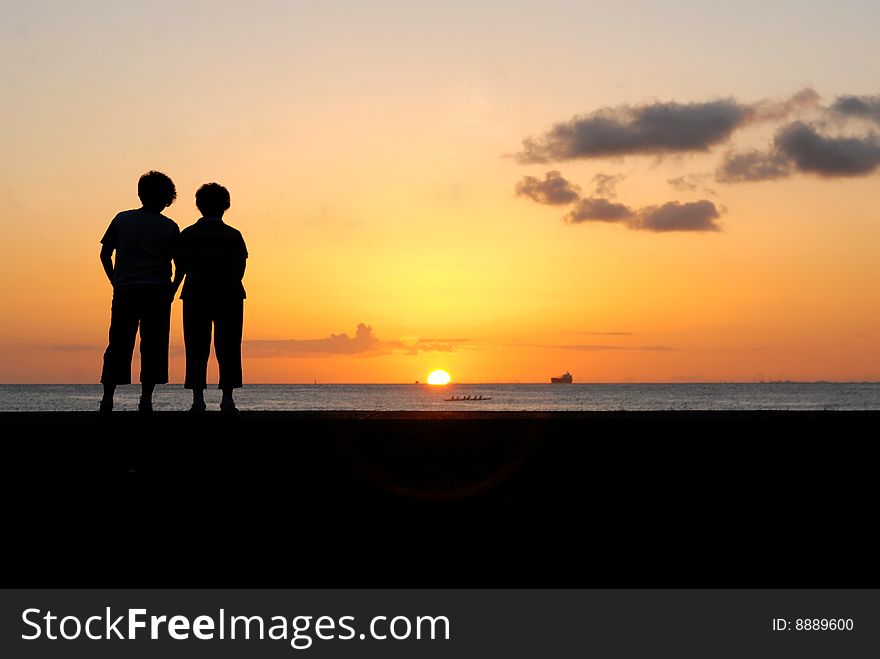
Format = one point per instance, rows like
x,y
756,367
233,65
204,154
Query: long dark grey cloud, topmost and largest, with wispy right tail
x,y
657,128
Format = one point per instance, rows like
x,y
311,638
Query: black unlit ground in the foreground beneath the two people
x,y
659,499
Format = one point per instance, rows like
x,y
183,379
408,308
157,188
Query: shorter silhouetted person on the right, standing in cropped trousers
x,y
212,256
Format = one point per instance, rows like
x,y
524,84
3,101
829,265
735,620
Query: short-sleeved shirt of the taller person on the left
x,y
145,244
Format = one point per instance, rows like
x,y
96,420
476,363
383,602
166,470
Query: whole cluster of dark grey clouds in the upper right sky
x,y
820,146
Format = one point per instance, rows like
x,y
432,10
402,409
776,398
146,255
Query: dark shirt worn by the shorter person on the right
x,y
212,255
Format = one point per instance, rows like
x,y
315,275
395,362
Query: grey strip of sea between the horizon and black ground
x,y
536,397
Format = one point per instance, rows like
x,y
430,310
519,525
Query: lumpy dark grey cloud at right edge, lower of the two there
x,y
800,147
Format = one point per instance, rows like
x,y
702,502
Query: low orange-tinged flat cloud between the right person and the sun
x,y
364,342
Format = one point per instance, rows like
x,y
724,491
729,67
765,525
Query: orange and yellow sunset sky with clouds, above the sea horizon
x,y
377,155
